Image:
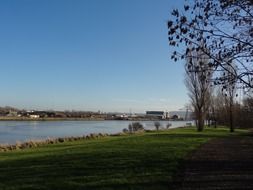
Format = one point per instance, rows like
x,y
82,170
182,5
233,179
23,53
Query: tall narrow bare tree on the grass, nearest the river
x,y
197,81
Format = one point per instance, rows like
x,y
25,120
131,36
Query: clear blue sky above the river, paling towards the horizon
x,y
108,55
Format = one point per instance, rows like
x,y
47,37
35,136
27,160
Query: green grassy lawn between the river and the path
x,y
140,161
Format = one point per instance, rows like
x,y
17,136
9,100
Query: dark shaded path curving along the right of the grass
x,y
220,164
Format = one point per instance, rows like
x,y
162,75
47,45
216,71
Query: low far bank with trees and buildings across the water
x,y
11,113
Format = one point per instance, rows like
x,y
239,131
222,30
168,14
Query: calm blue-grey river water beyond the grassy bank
x,y
13,131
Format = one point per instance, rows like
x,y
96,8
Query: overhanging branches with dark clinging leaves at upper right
x,y
225,27
